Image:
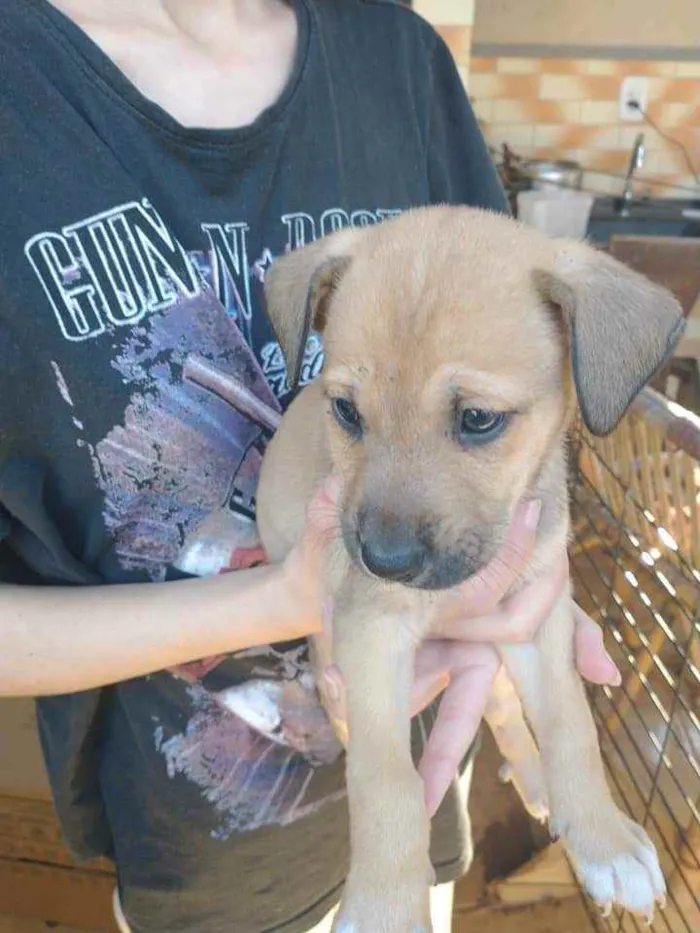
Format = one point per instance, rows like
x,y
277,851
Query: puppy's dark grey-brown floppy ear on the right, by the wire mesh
x,y
621,325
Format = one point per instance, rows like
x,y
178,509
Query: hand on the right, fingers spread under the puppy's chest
x,y
476,616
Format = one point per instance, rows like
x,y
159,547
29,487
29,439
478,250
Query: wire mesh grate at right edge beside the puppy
x,y
635,554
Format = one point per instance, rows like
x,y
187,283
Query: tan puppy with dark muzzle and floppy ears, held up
x,y
456,344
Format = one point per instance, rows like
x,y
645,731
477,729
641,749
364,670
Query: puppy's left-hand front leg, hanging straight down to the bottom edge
x,y
387,890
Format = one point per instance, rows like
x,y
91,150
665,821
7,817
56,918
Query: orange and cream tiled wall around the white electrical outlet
x,y
567,108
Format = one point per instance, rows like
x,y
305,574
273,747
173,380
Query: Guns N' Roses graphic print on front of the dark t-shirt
x,y
179,475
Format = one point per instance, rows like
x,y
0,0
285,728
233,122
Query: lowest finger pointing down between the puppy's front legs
x,y
460,713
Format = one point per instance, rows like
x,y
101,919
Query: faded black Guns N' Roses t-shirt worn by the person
x,y
132,257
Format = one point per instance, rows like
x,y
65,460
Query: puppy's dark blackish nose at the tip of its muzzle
x,y
389,547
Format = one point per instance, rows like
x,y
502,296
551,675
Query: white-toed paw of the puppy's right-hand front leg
x,y
617,864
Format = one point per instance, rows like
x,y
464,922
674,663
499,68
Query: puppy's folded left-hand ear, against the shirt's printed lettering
x,y
298,290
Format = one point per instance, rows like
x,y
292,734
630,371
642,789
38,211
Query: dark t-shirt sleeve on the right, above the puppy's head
x,y
460,168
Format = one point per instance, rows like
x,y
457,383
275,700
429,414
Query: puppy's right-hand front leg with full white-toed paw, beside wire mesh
x,y
613,857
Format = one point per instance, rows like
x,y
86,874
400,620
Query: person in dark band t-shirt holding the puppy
x,y
158,154
